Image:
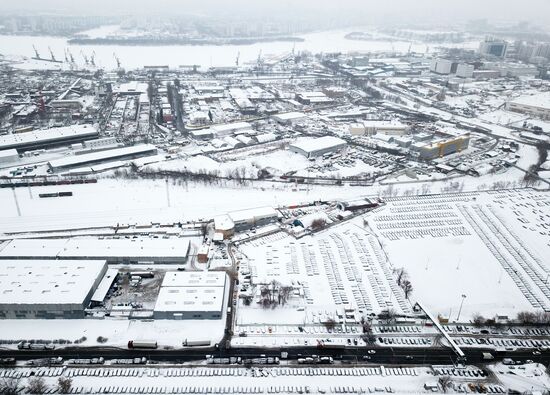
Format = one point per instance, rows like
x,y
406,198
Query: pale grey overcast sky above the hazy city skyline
x,y
411,11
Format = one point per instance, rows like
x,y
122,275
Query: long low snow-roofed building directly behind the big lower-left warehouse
x,y
114,251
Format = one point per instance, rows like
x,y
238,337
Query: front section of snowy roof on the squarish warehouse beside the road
x,y
199,299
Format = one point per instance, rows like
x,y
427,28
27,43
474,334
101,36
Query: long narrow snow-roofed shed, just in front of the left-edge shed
x,y
102,156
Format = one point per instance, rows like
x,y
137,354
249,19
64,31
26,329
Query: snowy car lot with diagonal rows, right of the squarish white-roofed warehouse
x,y
340,268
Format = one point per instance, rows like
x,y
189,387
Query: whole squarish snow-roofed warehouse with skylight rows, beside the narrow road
x,y
192,296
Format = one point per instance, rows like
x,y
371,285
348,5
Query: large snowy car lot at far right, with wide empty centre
x,y
487,246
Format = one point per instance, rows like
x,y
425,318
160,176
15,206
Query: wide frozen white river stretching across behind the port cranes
x,y
132,57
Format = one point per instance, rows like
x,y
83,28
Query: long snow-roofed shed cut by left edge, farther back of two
x,y
47,135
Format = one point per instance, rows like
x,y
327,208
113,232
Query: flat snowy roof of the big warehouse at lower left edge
x,y
47,281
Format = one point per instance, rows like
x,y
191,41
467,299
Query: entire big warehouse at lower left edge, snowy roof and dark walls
x,y
48,288
